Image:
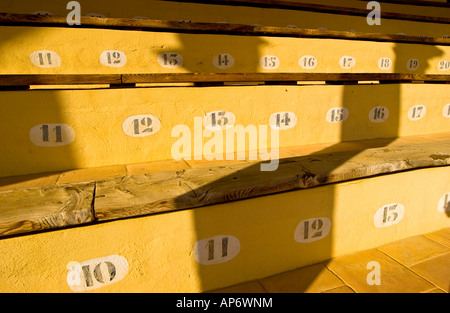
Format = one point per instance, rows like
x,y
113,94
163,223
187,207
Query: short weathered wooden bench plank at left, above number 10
x,y
50,207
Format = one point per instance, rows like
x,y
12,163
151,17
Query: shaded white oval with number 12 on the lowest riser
x,y
312,229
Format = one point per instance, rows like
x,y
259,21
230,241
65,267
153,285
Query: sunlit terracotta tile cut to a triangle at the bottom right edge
x,y
435,270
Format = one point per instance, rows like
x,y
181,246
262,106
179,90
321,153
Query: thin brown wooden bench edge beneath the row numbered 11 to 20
x,y
127,80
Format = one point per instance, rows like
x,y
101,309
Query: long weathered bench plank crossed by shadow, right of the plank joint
x,y
161,192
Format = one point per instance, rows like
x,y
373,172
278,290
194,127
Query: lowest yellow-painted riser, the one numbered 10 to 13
x,y
159,249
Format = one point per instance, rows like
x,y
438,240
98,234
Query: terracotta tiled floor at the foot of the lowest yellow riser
x,y
412,265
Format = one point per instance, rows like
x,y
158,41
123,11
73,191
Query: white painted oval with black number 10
x,y
96,273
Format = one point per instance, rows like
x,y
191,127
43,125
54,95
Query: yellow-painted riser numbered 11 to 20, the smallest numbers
x,y
30,50
